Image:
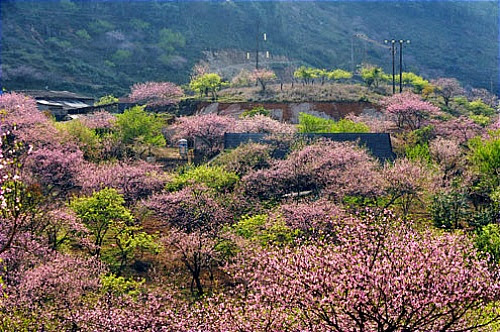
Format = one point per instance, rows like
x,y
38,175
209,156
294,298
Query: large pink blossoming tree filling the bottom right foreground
x,y
380,275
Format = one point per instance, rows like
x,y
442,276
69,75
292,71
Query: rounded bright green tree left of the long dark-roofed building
x,y
135,124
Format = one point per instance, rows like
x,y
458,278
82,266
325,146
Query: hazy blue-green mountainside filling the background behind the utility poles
x,y
96,47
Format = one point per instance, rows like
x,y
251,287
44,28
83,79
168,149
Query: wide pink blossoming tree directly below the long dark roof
x,y
335,169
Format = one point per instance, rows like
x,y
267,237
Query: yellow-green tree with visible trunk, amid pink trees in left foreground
x,y
102,213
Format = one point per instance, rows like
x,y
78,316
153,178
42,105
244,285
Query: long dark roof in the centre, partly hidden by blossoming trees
x,y
379,144
